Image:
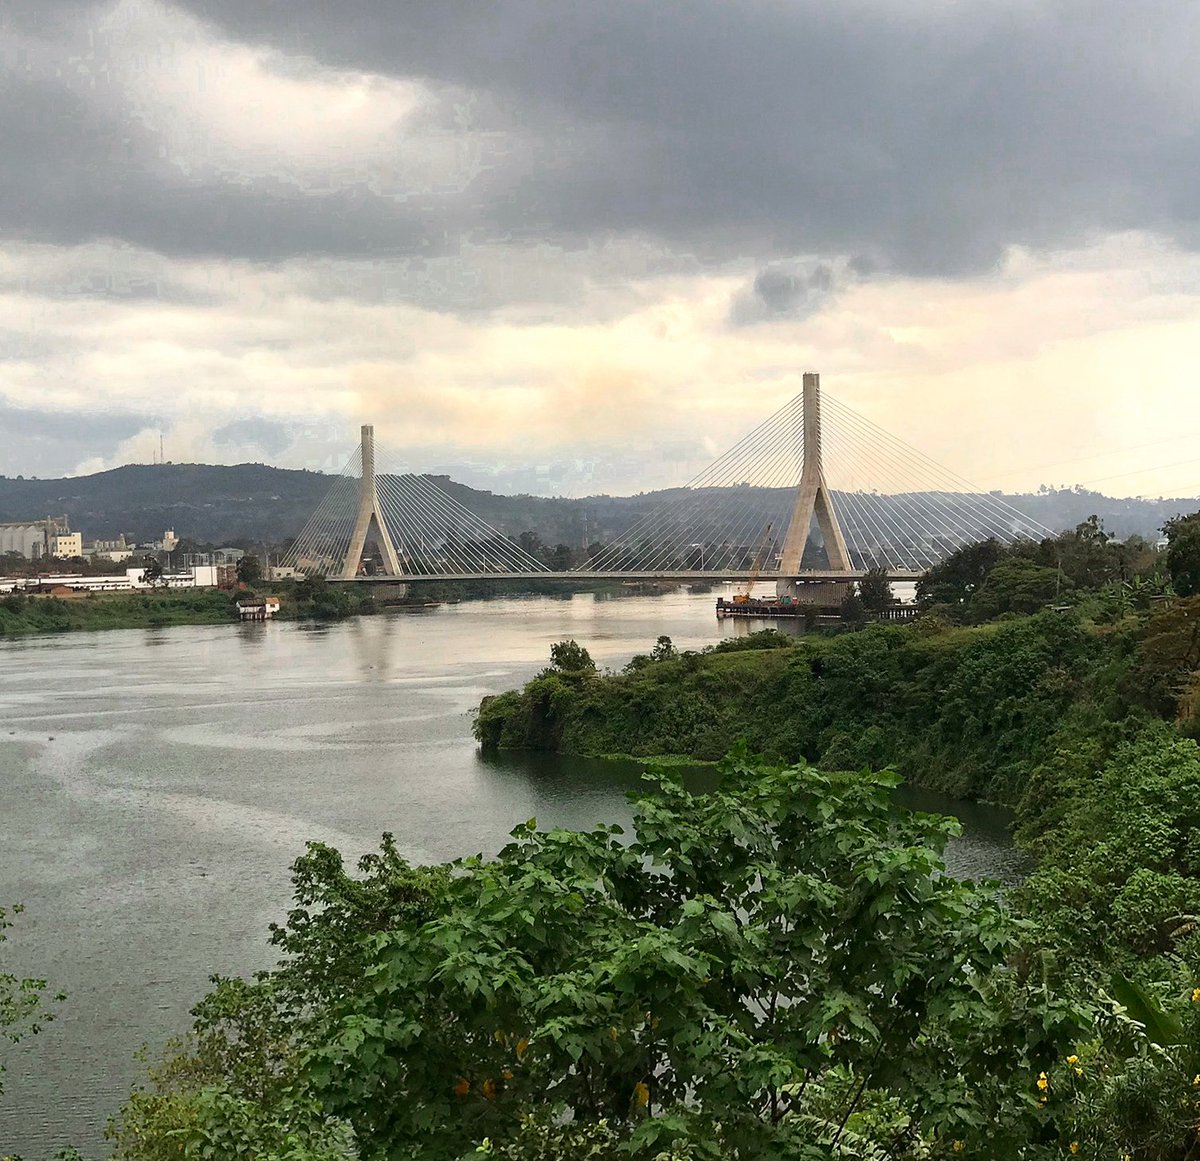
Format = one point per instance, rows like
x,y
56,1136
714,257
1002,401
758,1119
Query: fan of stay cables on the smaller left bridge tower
x,y
433,533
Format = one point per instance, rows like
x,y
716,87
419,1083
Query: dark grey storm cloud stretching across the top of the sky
x,y
923,137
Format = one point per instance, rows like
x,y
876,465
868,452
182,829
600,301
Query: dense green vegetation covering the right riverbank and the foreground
x,y
781,967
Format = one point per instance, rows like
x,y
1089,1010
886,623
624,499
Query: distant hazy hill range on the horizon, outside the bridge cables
x,y
254,503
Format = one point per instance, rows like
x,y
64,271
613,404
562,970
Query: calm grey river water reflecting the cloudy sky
x,y
155,785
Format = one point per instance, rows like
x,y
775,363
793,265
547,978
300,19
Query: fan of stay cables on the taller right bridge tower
x,y
898,510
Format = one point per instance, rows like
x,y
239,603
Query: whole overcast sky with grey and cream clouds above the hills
x,y
584,246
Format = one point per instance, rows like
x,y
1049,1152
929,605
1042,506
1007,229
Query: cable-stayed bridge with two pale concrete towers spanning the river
x,y
815,495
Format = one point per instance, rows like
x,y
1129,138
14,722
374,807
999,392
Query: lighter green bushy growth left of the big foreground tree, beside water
x,y
235,1087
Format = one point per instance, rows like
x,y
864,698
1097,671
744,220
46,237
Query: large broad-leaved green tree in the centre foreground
x,y
757,968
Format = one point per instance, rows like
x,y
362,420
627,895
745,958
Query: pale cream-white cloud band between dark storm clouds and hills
x,y
1000,378
